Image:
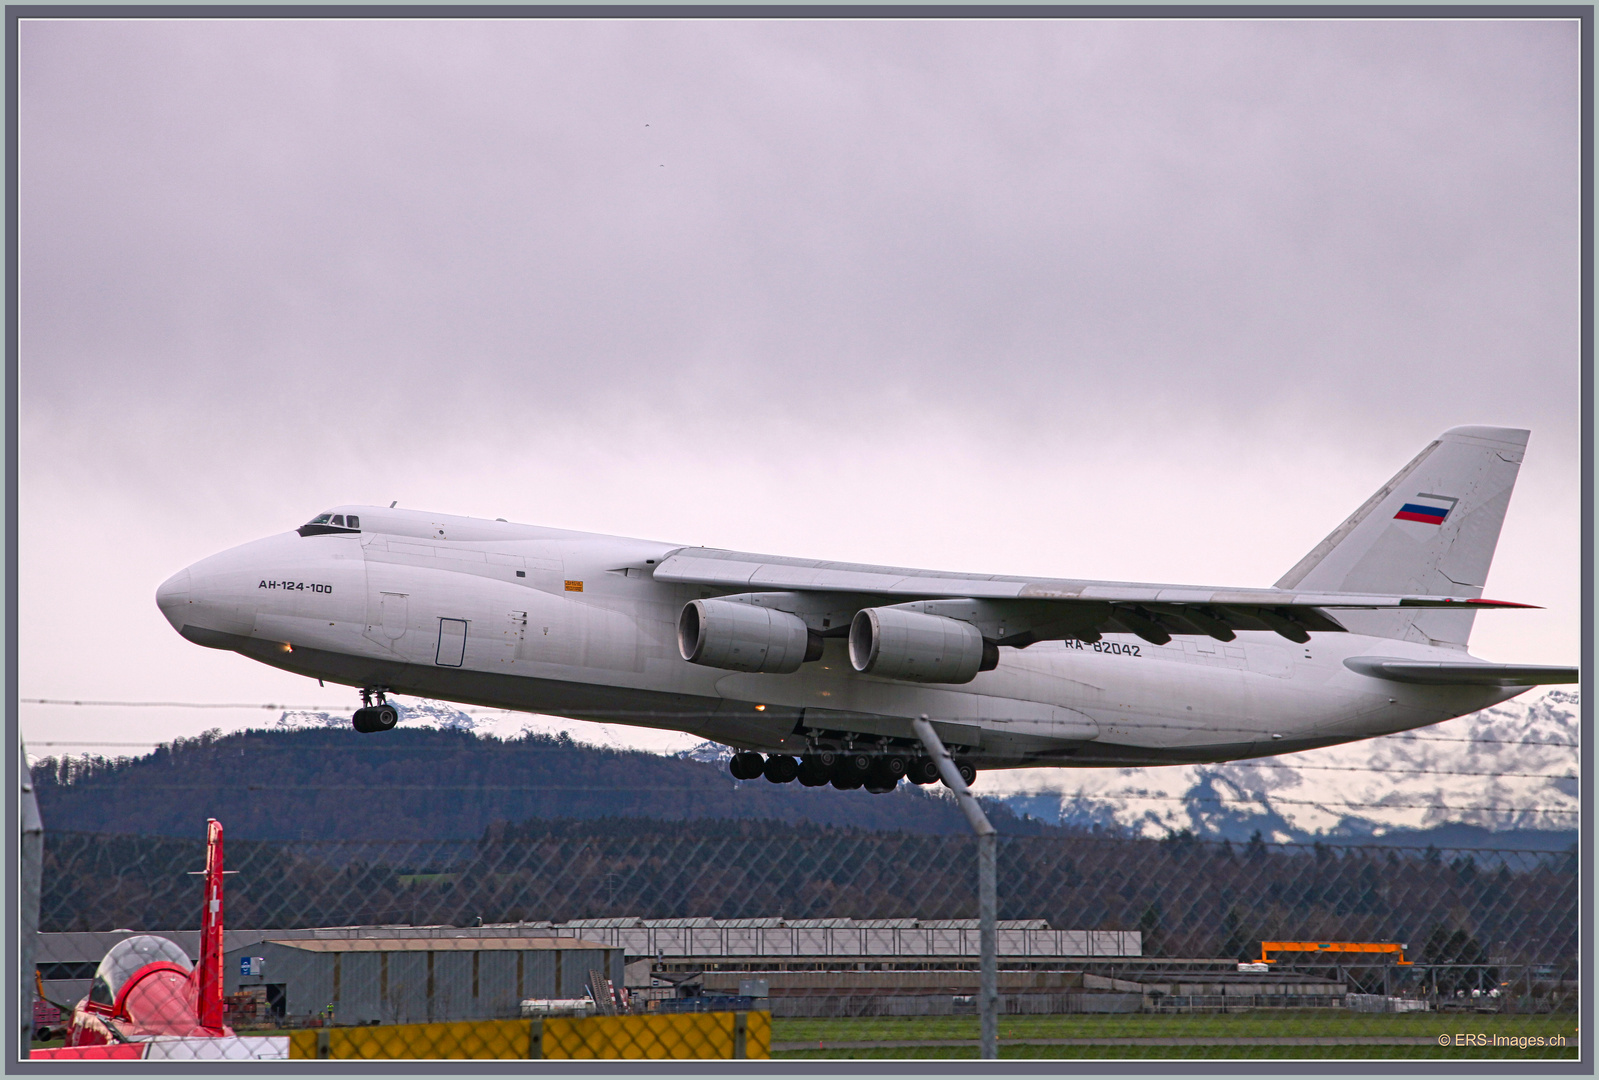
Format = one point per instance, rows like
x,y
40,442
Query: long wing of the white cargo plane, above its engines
x,y
1048,607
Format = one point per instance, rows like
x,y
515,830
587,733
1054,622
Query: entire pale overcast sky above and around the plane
x,y
1133,300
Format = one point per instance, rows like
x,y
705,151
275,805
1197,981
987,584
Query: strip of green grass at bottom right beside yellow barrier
x,y
1258,1034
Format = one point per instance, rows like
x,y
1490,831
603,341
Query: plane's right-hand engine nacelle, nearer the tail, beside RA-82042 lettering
x,y
919,649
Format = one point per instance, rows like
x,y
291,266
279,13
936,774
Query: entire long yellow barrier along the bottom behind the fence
x,y
658,1036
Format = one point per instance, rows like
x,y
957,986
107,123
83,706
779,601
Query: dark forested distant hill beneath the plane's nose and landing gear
x,y
429,785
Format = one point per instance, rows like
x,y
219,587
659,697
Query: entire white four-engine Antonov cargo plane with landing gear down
x,y
816,671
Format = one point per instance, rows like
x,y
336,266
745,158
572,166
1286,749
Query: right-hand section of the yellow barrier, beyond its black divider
x,y
661,1036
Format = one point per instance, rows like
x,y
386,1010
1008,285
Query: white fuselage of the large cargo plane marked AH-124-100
x,y
575,625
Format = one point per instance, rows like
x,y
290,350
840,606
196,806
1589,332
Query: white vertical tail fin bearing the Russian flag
x,y
1429,532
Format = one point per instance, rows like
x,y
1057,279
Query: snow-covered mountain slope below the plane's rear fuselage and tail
x,y
1510,769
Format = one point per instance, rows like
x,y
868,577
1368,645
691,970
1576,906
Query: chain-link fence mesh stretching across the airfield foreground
x,y
851,943
